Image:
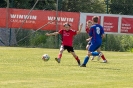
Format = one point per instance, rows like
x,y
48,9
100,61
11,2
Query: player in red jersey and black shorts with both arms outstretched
x,y
67,40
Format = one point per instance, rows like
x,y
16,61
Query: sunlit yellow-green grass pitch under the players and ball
x,y
24,68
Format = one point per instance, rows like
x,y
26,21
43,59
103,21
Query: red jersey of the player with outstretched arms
x,y
67,36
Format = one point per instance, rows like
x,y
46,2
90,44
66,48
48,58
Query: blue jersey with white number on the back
x,y
96,32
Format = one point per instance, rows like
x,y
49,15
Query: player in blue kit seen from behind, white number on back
x,y
96,33
